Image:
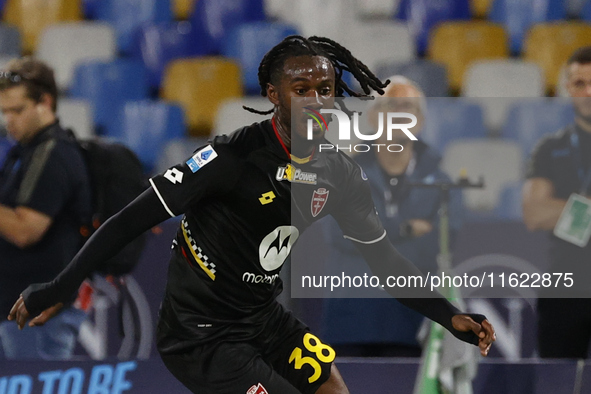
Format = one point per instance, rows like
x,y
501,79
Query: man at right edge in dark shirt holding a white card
x,y
560,173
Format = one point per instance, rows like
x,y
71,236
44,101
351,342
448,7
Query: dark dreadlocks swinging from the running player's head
x,y
271,66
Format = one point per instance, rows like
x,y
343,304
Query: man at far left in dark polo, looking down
x,y
45,197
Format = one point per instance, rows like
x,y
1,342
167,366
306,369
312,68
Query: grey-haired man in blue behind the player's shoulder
x,y
360,327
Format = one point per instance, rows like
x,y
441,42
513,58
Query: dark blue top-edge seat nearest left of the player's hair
x,y
213,19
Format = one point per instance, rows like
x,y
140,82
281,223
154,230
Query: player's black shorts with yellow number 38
x,y
284,358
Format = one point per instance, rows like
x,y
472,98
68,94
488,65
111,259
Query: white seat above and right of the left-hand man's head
x,y
65,45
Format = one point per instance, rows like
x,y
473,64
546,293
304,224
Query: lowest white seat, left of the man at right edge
x,y
499,162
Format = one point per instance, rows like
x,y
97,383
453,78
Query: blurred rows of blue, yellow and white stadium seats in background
x,y
163,76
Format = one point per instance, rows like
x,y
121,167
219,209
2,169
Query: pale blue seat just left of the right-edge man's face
x,y
528,121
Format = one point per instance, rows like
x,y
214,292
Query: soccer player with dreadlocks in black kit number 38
x,y
221,329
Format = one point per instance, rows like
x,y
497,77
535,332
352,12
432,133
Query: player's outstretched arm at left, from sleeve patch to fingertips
x,y
170,195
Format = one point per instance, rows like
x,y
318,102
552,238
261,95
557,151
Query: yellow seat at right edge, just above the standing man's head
x,y
551,44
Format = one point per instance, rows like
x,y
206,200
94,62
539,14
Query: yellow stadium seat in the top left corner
x,y
32,16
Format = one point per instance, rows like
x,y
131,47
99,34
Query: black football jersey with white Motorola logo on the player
x,y
245,202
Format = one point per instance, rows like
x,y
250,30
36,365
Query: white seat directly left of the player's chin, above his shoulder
x,y
231,116
